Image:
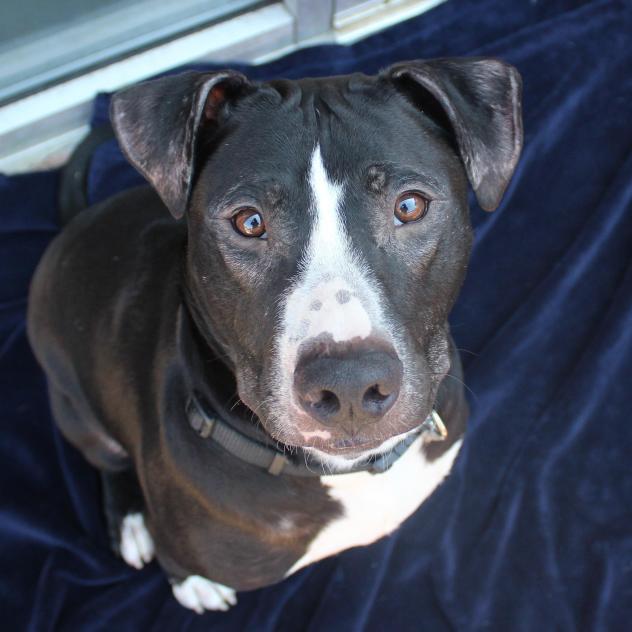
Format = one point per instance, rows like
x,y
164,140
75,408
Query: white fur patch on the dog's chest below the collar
x,y
374,505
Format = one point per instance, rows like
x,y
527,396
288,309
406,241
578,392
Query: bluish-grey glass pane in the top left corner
x,y
43,41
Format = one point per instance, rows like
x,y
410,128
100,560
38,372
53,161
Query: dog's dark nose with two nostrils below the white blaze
x,y
349,389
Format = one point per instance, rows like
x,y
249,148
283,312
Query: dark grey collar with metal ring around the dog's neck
x,y
209,425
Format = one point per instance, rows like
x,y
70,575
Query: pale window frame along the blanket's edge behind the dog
x,y
40,130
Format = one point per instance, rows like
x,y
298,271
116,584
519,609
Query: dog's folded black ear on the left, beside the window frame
x,y
157,124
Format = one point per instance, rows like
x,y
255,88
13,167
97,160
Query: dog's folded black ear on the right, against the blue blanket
x,y
481,98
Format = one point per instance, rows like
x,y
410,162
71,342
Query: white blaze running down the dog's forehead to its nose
x,y
333,294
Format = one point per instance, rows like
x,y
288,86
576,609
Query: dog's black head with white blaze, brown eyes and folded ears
x,y
328,229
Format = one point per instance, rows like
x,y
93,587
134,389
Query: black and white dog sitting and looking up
x,y
254,351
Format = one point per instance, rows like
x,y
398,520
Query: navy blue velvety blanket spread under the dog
x,y
533,529
